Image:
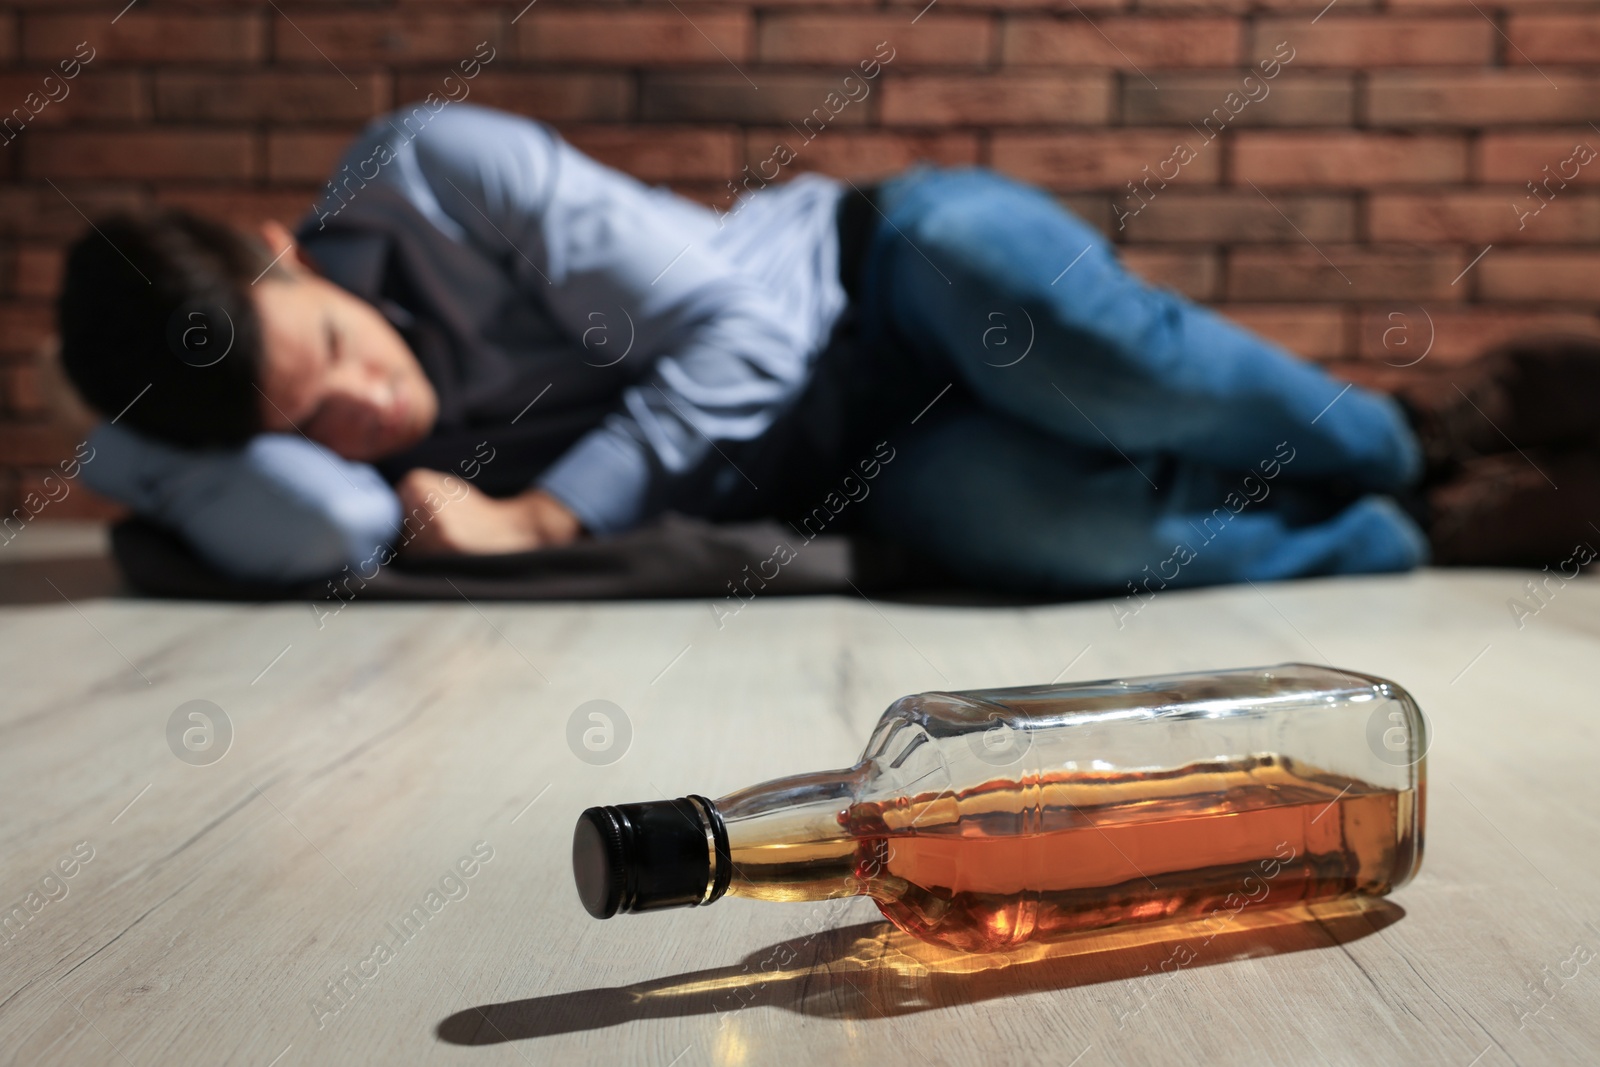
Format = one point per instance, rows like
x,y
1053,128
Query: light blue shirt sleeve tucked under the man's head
x,y
282,510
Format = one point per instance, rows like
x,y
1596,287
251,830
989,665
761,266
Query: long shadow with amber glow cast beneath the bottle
x,y
873,970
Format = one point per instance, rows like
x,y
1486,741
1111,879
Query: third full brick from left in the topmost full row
x,y
634,36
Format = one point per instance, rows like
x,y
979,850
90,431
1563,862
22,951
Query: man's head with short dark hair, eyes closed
x,y
234,335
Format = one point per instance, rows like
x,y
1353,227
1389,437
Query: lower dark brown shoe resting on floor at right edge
x,y
1516,510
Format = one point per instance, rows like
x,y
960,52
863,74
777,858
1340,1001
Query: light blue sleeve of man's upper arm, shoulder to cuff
x,y
602,249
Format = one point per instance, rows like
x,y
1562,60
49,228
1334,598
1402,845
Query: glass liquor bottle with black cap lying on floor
x,y
990,818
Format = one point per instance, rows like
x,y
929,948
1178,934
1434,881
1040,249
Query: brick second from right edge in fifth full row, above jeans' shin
x,y
1346,274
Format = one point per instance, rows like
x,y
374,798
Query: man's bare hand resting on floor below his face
x,y
446,516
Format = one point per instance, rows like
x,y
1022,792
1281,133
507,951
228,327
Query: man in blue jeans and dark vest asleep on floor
x,y
516,346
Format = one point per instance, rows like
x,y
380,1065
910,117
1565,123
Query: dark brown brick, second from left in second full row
x,y
270,95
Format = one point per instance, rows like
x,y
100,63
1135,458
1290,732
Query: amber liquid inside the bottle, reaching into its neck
x,y
1113,849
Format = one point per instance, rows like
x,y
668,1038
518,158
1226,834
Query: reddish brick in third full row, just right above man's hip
x,y
1105,159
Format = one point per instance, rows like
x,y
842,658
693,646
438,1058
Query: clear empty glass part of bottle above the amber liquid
x,y
1343,722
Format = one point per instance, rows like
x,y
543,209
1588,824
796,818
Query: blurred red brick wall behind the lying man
x,y
1338,210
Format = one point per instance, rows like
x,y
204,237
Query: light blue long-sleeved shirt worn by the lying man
x,y
729,311
